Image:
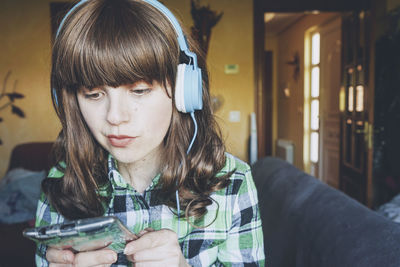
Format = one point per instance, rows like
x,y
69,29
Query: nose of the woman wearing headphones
x,y
118,110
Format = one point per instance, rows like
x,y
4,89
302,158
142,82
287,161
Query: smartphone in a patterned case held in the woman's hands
x,y
84,234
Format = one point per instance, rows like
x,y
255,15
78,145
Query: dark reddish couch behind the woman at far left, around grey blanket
x,y
15,250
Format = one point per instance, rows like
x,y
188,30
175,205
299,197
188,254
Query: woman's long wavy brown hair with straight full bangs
x,y
115,42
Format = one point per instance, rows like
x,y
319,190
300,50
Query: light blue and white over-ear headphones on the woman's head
x,y
188,89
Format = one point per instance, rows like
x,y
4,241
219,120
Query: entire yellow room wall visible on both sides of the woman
x,y
25,45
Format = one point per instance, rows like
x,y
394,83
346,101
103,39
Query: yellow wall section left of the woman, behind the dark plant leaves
x,y
25,50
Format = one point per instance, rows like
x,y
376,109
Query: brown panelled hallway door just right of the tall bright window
x,y
329,107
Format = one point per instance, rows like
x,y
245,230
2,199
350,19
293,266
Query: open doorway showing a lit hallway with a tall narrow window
x,y
306,82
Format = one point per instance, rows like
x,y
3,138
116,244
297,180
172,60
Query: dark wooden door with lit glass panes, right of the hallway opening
x,y
354,113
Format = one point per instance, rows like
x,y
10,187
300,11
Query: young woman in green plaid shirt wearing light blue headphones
x,y
137,145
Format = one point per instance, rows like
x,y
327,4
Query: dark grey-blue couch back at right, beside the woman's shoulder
x,y
307,223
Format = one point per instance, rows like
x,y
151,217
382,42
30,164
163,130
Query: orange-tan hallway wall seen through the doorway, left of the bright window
x,y
291,109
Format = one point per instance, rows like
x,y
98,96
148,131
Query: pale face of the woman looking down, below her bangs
x,y
129,121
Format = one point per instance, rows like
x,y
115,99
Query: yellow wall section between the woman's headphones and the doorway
x,y
231,43
